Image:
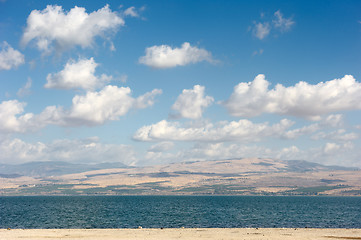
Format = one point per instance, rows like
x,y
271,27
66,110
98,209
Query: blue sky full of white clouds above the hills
x,y
157,82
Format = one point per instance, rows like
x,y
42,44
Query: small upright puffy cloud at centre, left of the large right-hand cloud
x,y
191,103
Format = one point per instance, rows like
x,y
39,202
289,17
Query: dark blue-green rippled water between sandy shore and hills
x,y
179,211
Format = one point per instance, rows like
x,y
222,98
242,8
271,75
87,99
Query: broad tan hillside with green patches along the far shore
x,y
249,176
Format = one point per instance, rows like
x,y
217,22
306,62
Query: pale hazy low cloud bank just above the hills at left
x,y
76,151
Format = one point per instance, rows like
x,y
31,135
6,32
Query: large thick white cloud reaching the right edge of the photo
x,y
302,100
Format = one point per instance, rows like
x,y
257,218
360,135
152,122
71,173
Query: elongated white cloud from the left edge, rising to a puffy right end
x,y
93,108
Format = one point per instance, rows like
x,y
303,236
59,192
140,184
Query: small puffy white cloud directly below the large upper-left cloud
x,y
78,74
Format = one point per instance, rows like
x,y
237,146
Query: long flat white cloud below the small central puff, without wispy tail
x,y
243,131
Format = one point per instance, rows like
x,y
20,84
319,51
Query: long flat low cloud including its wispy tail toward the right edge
x,y
240,131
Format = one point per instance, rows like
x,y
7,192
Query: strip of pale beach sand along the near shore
x,y
187,233
